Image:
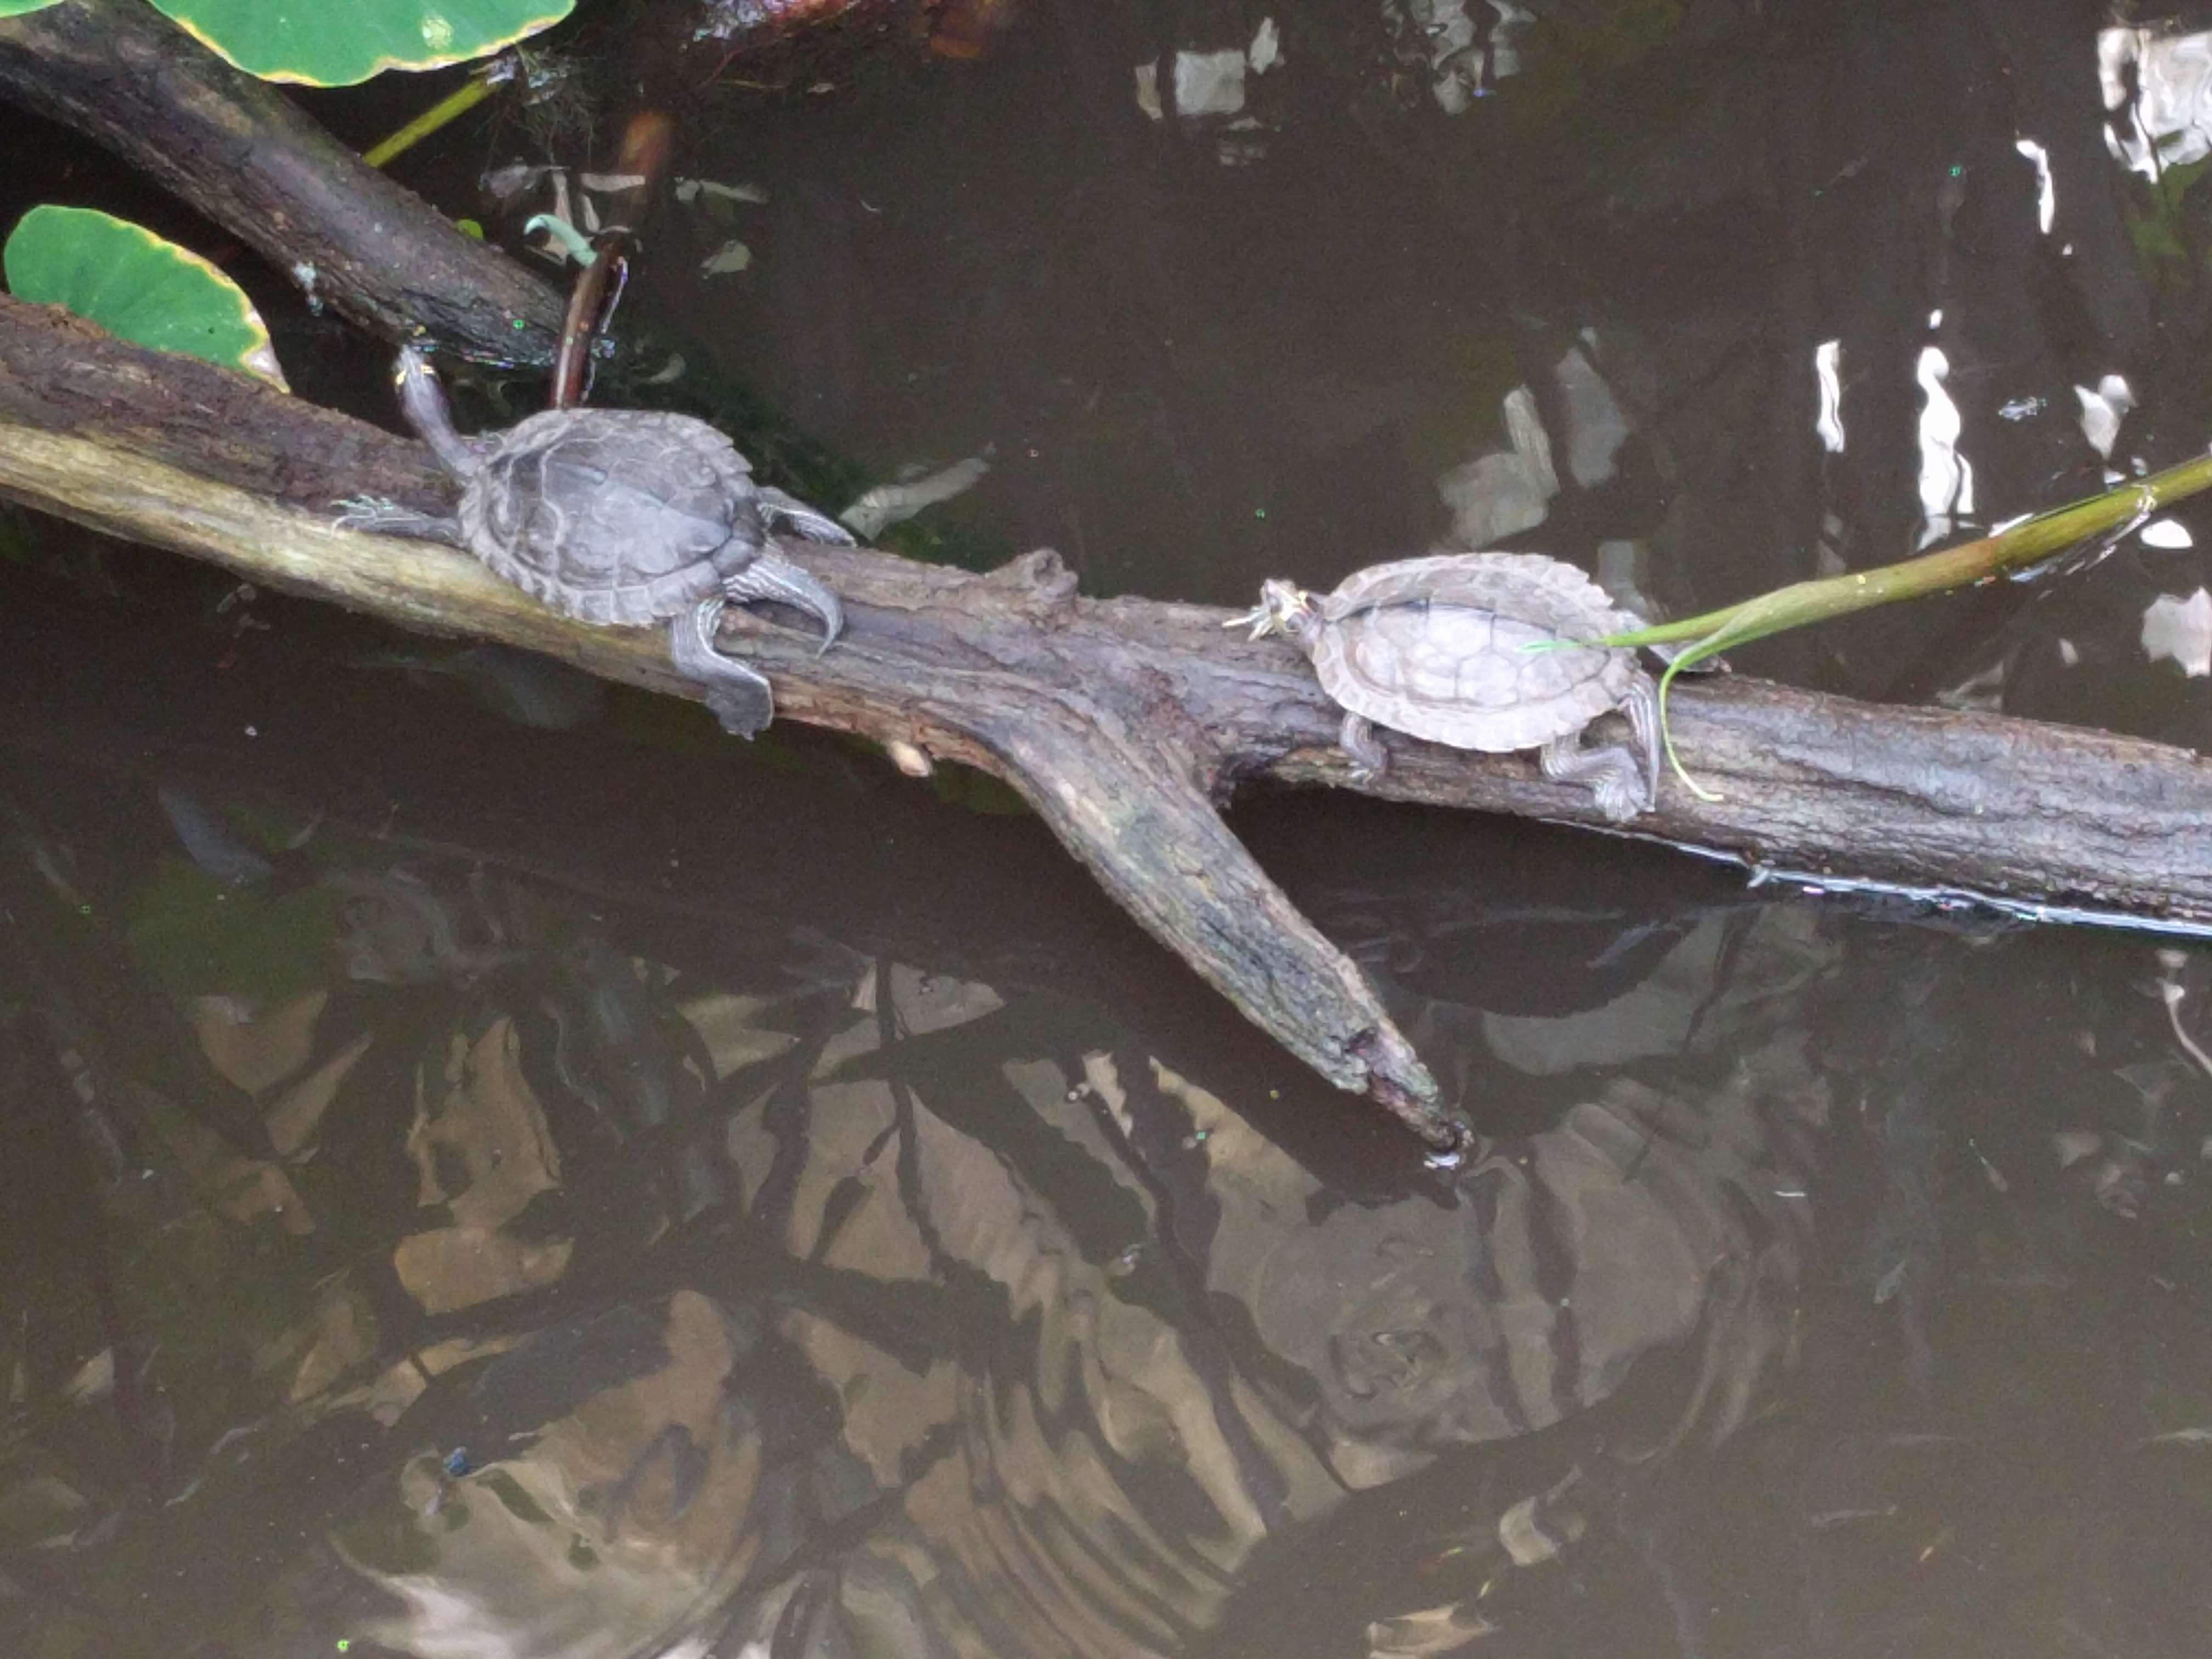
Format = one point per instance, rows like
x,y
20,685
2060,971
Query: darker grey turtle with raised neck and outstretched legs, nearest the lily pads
x,y
620,517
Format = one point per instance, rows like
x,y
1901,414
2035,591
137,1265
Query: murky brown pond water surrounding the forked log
x,y
494,1173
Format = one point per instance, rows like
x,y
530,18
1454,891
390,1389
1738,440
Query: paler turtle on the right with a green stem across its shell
x,y
1437,649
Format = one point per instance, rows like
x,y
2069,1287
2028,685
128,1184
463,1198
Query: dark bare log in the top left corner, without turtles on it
x,y
244,156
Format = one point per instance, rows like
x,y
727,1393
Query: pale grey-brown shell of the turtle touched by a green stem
x,y
1434,649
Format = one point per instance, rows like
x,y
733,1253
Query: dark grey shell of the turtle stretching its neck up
x,y
614,514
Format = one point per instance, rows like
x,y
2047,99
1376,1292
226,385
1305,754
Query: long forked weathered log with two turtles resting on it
x,y
1123,722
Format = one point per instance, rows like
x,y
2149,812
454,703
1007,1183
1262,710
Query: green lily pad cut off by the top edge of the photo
x,y
337,45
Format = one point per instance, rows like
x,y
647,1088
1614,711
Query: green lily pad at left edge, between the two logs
x,y
138,289
